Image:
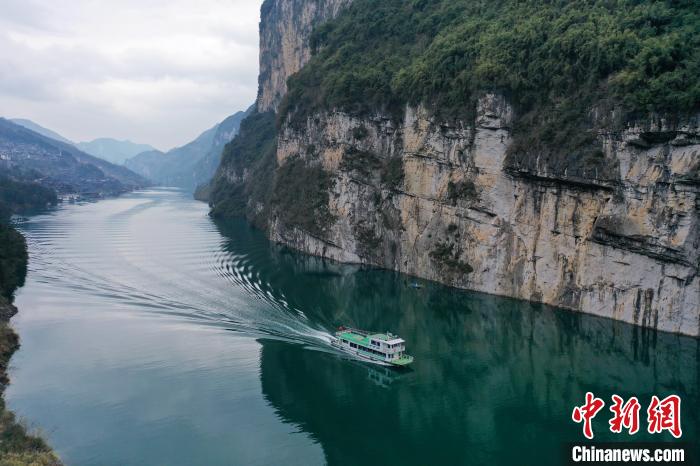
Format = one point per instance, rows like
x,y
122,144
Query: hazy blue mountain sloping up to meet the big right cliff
x,y
192,164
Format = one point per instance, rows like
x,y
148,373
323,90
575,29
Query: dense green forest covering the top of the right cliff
x,y
555,61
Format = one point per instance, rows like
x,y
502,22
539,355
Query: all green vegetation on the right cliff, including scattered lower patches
x,y
569,68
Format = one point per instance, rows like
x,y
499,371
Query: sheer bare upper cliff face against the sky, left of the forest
x,y
285,28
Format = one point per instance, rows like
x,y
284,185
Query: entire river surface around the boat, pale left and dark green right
x,y
152,335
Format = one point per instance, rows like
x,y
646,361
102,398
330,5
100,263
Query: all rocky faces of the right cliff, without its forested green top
x,y
451,200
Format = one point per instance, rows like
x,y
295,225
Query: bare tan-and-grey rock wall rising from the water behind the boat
x,y
457,210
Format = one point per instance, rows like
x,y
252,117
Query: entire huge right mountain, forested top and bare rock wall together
x,y
546,151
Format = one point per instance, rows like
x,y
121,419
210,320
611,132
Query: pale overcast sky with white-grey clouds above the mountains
x,y
152,71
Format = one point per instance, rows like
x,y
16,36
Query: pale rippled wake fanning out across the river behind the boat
x,y
158,253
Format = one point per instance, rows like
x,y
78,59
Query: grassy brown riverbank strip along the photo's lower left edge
x,y
17,446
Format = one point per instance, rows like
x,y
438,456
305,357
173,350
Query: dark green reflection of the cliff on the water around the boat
x,y
494,381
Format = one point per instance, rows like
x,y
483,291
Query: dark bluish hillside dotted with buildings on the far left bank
x,y
60,166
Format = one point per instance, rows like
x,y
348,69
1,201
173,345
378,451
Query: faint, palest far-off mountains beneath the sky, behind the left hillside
x,y
111,150
